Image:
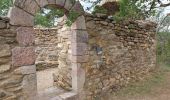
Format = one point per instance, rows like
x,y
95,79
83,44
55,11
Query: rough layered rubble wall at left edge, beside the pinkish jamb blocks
x,y
10,87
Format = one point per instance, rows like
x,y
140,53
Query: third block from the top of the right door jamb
x,y
78,49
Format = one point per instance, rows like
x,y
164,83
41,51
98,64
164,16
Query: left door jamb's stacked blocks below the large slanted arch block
x,y
23,60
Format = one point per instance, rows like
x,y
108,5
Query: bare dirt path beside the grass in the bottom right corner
x,y
159,91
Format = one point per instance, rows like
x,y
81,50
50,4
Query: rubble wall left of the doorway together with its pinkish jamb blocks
x,y
16,82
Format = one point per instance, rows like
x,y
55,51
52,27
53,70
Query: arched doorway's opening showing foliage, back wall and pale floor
x,y
46,46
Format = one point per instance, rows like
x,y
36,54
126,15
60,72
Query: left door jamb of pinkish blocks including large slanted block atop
x,y
23,54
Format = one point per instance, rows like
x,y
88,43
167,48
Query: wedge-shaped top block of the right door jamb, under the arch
x,y
79,24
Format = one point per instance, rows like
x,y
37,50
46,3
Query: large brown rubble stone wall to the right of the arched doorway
x,y
118,54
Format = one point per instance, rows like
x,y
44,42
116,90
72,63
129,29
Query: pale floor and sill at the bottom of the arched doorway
x,y
46,90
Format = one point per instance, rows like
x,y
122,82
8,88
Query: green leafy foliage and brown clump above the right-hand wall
x,y
128,9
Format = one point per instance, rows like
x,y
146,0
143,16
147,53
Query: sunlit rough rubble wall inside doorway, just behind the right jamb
x,y
62,77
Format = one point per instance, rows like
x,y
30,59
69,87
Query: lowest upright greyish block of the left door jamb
x,y
29,85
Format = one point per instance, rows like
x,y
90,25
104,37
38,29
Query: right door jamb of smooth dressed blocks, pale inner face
x,y
79,54
